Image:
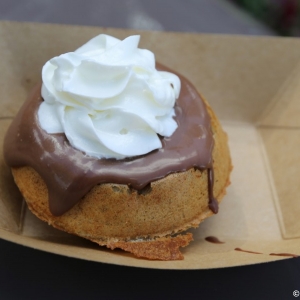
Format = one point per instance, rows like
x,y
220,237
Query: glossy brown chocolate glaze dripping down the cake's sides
x,y
70,174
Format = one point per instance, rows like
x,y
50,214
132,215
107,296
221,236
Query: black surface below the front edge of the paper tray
x,y
31,274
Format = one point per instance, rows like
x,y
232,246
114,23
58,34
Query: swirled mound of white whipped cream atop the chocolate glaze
x,y
108,98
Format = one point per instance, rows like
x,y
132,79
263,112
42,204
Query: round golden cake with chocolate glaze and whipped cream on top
x,y
116,151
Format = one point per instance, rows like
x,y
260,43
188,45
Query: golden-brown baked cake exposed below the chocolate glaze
x,y
117,216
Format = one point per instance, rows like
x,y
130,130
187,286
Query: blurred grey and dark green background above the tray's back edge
x,y
251,17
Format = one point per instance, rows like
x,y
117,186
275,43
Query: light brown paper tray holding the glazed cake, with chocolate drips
x,y
253,84
